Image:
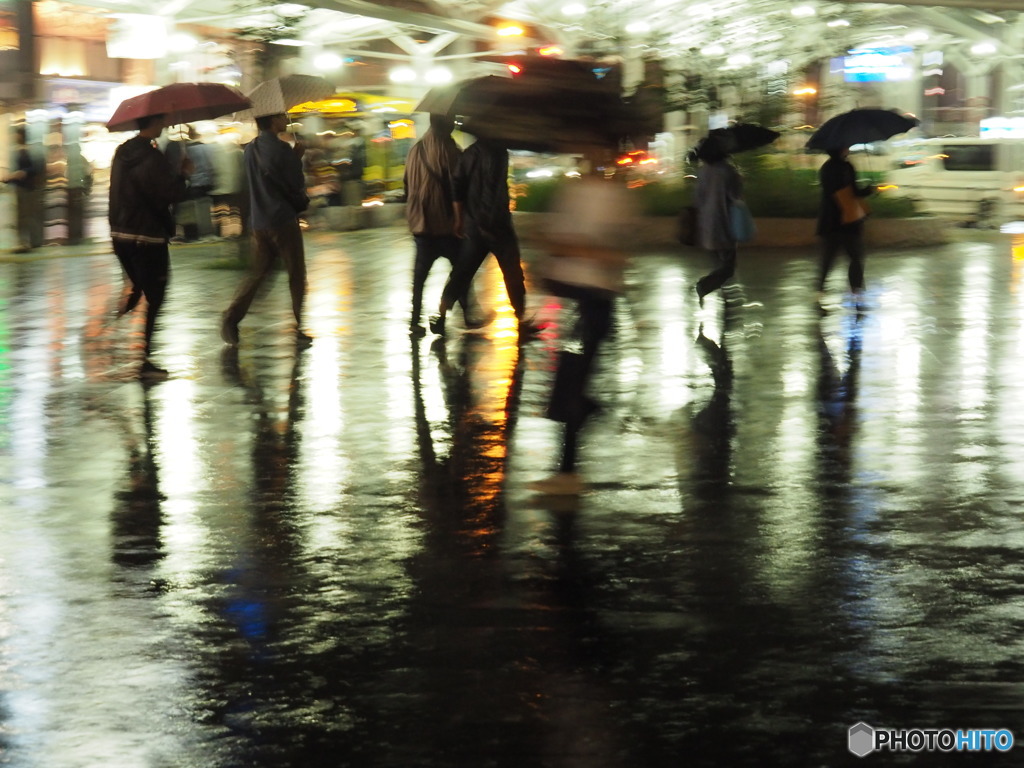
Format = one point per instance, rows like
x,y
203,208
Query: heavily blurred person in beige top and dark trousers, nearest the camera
x,y
588,243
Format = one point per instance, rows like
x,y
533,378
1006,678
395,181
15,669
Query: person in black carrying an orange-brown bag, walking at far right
x,y
841,221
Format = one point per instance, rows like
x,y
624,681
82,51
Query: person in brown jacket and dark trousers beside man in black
x,y
430,185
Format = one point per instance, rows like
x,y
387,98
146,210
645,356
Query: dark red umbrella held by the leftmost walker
x,y
183,103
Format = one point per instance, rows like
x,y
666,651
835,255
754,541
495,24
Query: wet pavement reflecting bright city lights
x,y
329,558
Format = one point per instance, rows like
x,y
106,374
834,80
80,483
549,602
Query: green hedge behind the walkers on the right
x,y
773,190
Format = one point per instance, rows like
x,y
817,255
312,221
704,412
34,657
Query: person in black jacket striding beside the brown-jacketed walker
x,y
484,222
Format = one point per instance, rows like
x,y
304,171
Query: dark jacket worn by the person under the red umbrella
x,y
143,189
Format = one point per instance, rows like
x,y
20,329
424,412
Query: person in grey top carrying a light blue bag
x,y
719,184
